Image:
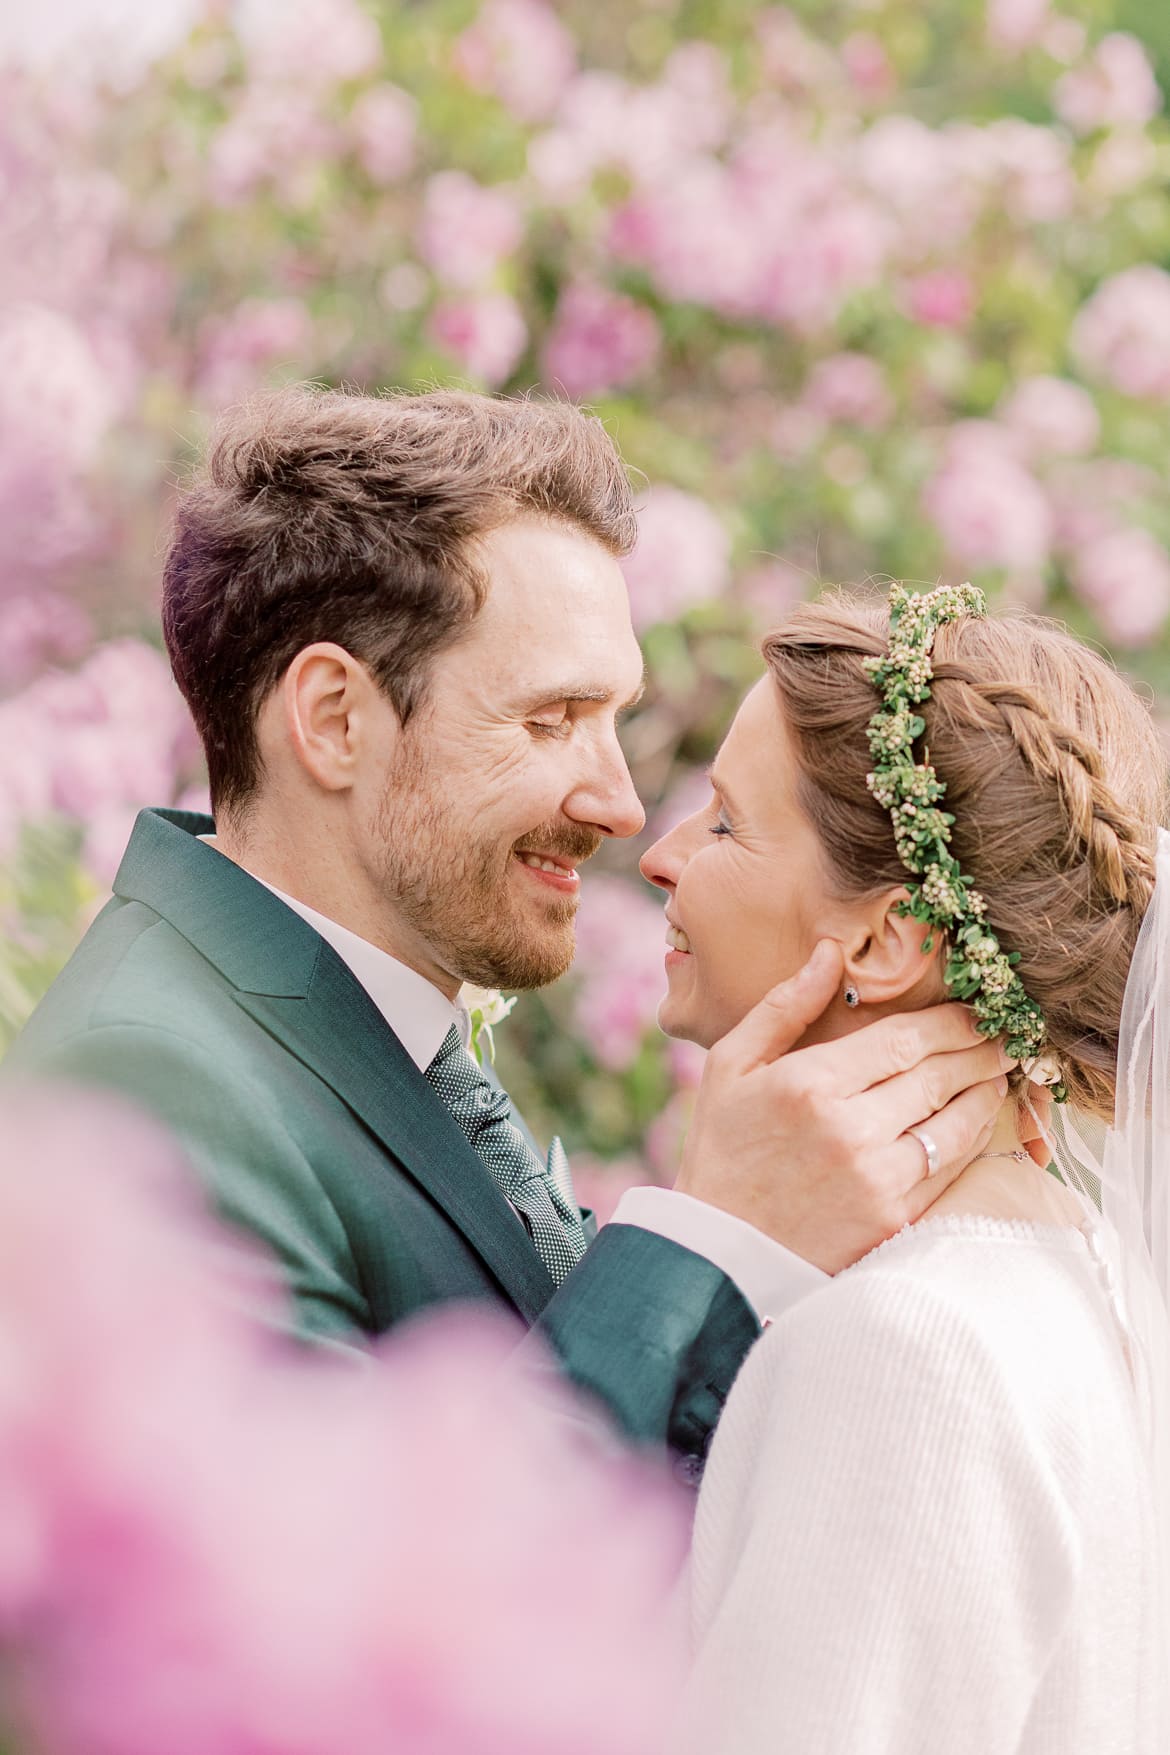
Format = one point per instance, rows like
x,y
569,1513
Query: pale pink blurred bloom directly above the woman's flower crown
x,y
987,505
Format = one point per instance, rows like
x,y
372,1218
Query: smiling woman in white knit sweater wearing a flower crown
x,y
931,1517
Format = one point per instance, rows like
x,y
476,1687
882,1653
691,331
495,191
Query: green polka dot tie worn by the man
x,y
485,1114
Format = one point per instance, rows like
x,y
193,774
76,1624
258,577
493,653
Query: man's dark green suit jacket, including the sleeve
x,y
208,1001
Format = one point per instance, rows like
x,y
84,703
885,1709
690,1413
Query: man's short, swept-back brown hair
x,y
334,517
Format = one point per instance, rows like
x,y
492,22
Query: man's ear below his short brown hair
x,y
324,715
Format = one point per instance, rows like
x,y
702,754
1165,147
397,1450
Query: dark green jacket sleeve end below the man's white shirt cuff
x,y
655,1333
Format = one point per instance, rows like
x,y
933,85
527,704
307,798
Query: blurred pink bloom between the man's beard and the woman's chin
x,y
622,966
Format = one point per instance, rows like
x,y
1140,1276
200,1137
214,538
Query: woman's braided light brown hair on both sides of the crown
x,y
1057,780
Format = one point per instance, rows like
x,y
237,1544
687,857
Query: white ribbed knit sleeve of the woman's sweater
x,y
883,1556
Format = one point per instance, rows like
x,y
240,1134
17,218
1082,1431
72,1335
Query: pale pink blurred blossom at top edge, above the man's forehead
x,y
522,54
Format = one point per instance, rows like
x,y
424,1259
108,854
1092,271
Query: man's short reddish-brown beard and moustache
x,y
457,891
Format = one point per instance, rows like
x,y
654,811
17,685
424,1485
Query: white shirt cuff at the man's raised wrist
x,y
769,1275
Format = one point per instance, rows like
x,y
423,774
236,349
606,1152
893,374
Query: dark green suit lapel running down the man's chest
x,y
308,999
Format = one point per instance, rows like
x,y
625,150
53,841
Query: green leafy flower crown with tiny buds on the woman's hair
x,y
978,970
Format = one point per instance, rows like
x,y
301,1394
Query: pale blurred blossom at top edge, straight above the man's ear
x,y
311,43
